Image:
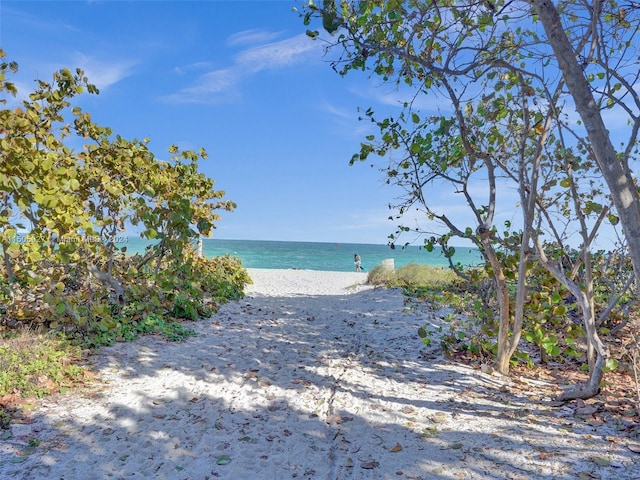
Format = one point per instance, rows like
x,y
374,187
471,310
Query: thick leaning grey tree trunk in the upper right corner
x,y
616,174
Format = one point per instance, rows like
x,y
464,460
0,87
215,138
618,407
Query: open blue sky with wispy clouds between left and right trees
x,y
239,78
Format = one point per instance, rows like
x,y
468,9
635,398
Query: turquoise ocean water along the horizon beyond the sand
x,y
336,257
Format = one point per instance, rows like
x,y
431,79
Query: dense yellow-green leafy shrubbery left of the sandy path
x,y
63,213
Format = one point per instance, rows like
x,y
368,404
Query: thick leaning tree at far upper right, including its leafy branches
x,y
595,47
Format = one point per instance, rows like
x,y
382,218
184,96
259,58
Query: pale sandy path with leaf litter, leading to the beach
x,y
313,375
